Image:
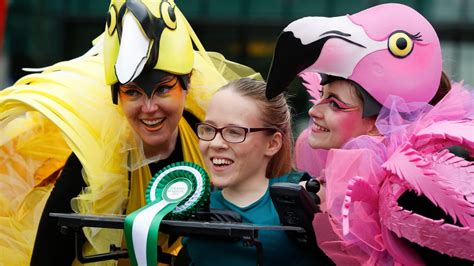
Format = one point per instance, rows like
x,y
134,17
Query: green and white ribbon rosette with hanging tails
x,y
177,190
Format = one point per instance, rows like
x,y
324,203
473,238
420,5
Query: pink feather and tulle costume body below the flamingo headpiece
x,y
364,178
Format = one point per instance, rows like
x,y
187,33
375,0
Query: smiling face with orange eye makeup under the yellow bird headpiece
x,y
154,117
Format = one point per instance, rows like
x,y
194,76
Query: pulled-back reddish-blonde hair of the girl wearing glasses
x,y
275,113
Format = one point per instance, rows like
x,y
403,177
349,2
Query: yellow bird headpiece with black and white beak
x,y
144,41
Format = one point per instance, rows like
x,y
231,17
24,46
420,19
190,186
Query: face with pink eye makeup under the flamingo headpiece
x,y
337,117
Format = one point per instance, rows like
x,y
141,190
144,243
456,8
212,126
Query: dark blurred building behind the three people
x,y
42,32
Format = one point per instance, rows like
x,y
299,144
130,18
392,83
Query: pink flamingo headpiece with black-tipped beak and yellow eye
x,y
388,49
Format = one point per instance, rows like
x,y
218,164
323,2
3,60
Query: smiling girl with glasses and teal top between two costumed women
x,y
246,144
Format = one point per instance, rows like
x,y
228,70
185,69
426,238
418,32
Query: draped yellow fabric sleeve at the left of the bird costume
x,y
43,118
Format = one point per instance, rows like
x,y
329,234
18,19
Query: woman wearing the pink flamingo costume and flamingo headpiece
x,y
394,194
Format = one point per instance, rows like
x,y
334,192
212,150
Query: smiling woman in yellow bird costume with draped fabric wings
x,y
66,146
